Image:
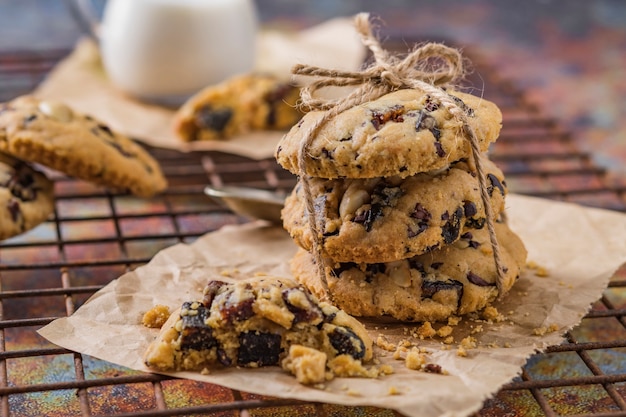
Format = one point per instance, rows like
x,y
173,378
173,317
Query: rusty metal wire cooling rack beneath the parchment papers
x,y
95,236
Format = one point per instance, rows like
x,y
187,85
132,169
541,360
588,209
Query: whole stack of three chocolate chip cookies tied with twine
x,y
402,228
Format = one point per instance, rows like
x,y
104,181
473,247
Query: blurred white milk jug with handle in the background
x,y
166,50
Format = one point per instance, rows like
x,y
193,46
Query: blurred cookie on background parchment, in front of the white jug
x,y
238,105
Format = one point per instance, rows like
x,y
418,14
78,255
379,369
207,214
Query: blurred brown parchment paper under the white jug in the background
x,y
81,82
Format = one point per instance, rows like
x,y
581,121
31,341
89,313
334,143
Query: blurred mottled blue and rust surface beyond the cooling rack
x,y
569,56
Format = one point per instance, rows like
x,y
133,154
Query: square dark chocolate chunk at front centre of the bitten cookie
x,y
262,349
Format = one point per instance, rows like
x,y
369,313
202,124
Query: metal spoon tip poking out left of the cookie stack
x,y
250,202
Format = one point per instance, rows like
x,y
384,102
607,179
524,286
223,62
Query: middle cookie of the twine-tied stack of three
x,y
385,219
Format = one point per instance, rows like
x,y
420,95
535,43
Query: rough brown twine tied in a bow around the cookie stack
x,y
386,74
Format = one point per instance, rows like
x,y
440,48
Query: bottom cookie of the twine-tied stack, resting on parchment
x,y
456,279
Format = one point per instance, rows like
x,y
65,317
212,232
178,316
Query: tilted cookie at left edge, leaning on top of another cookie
x,y
52,134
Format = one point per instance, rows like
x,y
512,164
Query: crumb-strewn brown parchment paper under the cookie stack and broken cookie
x,y
580,247
